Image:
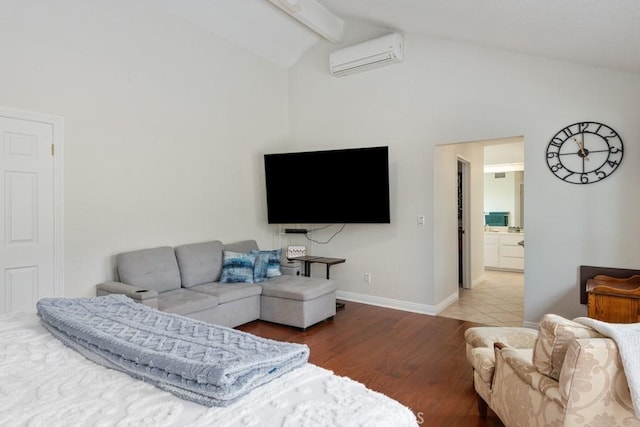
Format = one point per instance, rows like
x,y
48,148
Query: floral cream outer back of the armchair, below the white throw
x,y
593,383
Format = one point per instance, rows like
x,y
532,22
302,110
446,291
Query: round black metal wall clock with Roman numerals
x,y
585,152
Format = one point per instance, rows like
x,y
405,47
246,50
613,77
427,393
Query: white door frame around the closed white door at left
x,y
57,125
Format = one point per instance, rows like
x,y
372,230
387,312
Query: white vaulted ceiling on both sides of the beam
x,y
603,33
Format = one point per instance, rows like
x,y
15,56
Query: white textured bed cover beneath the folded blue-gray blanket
x,y
42,382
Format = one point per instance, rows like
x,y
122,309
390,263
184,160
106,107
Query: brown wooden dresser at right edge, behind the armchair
x,y
614,300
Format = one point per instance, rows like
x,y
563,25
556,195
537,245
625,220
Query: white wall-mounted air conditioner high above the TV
x,y
374,53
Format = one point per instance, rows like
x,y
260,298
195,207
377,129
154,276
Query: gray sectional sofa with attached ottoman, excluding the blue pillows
x,y
186,280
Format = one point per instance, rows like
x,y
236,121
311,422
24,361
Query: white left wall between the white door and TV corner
x,y
165,126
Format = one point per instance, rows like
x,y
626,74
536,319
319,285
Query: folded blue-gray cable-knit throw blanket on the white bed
x,y
207,364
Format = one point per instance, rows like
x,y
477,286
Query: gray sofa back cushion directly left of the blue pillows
x,y
199,262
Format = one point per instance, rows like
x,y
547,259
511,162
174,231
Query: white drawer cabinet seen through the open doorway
x,y
503,252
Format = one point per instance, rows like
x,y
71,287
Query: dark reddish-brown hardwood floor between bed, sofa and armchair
x,y
416,359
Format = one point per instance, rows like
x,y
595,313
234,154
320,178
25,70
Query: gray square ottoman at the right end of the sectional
x,y
288,300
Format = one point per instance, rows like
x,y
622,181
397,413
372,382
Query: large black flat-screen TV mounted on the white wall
x,y
327,187
